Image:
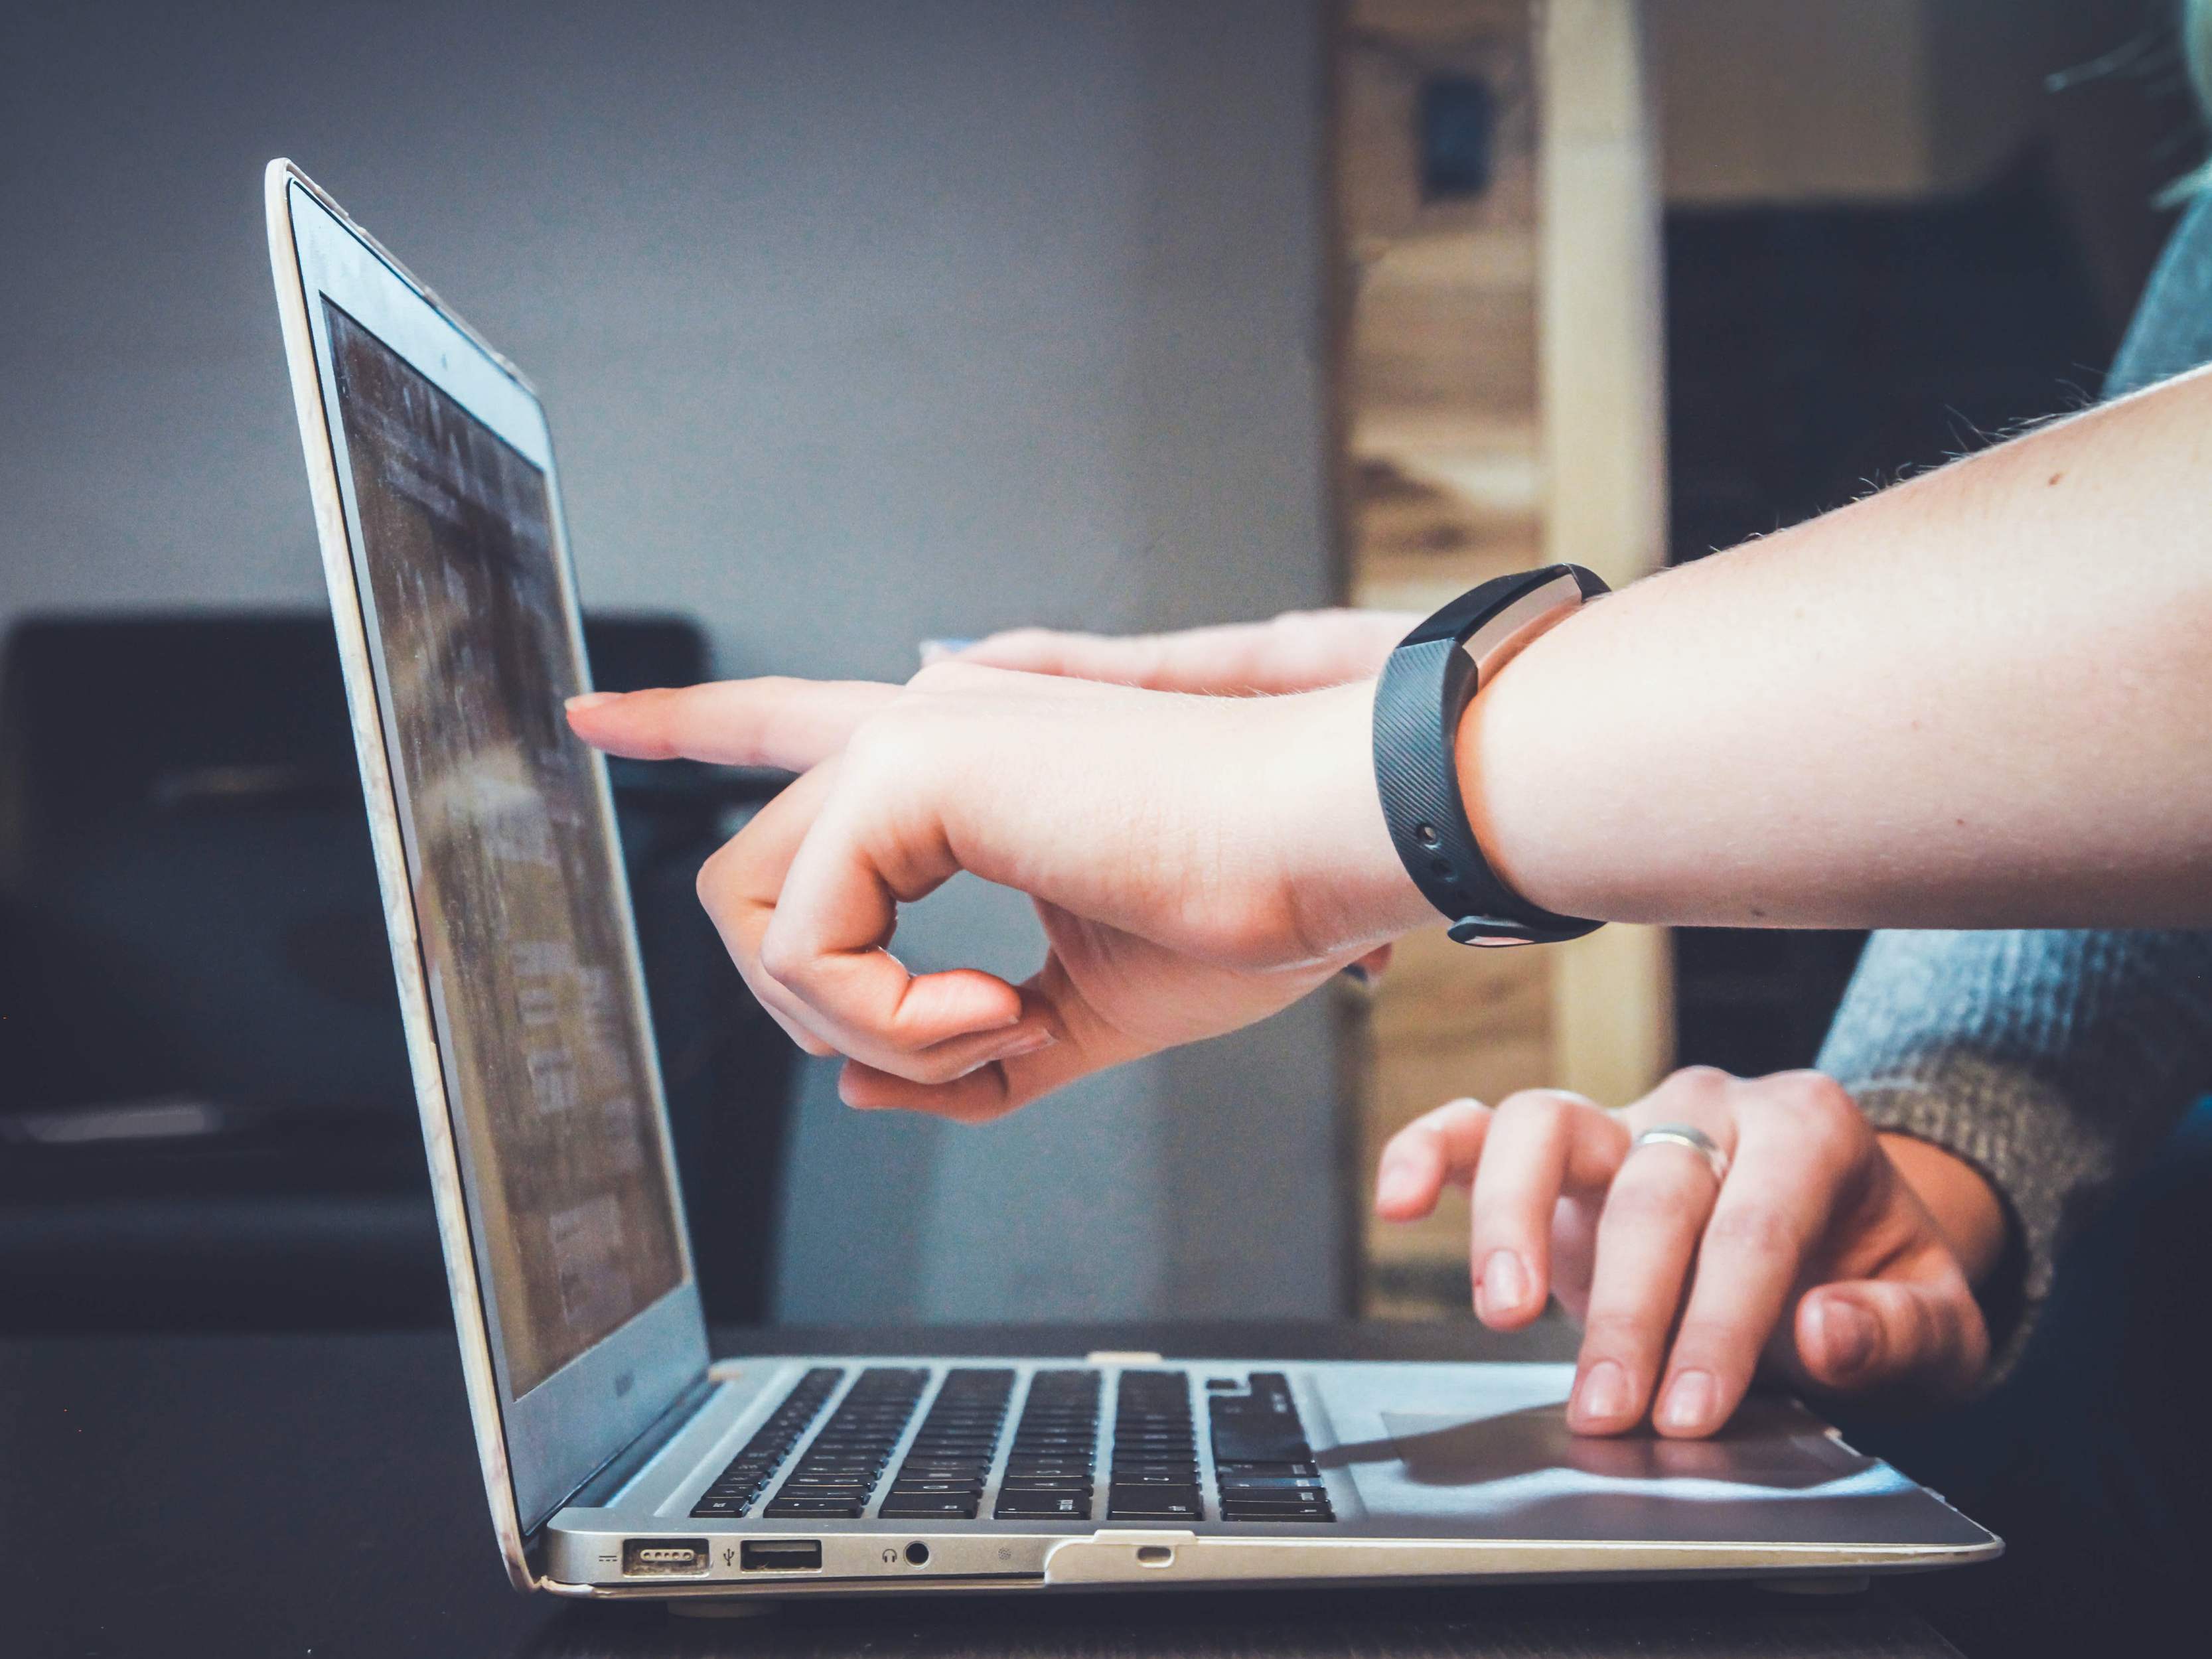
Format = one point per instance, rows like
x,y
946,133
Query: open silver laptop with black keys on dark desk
x,y
616,1461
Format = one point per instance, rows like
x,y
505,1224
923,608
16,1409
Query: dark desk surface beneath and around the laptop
x,y
317,1496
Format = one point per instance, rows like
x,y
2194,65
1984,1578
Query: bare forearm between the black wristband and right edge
x,y
1981,698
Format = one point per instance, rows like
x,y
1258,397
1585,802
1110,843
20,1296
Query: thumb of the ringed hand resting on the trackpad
x,y
1895,1337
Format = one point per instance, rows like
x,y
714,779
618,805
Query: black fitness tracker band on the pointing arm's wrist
x,y
1428,685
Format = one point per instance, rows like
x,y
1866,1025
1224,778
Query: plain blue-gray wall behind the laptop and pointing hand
x,y
859,324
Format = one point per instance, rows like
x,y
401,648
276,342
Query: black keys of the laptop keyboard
x,y
1264,1465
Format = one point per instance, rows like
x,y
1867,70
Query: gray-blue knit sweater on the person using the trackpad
x,y
2054,1063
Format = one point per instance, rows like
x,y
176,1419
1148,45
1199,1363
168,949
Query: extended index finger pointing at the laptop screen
x,y
786,724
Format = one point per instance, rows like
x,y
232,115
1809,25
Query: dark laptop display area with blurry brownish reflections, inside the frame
x,y
510,859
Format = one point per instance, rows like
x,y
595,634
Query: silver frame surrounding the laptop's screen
x,y
543,1446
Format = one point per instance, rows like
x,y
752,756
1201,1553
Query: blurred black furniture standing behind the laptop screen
x,y
205,1105
